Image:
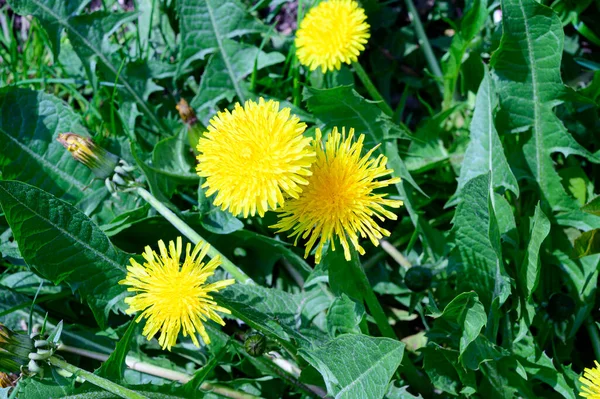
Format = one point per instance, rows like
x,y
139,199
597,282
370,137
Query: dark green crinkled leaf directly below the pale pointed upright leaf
x,y
477,256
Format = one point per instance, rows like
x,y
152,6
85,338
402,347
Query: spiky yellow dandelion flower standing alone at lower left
x,y
174,296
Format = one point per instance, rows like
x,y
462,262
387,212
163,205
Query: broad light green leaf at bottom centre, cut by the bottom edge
x,y
353,365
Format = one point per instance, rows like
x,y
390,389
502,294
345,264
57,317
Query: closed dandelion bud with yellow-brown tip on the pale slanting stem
x,y
84,150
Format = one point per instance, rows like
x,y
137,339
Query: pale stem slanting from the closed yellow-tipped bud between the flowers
x,y
194,237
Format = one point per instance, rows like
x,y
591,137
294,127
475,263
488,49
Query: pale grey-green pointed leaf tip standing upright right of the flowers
x,y
485,153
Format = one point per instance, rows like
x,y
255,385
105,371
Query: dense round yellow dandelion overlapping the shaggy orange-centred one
x,y
252,156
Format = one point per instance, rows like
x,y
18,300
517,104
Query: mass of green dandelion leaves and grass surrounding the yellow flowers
x,y
488,277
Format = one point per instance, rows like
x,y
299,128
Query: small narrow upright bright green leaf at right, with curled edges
x,y
530,270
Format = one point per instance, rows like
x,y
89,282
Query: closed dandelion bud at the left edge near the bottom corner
x,y
15,348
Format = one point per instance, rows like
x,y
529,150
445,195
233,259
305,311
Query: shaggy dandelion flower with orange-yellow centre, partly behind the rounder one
x,y
339,198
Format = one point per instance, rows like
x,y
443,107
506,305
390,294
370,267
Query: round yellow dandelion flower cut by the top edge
x,y
333,32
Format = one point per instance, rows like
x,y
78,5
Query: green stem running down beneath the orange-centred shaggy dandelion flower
x,y
409,370
